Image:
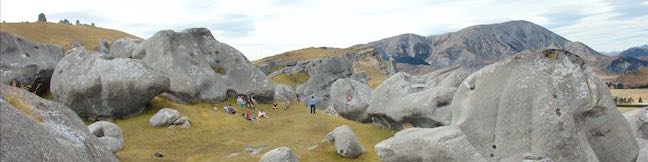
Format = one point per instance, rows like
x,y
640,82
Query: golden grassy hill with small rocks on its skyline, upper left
x,y
64,35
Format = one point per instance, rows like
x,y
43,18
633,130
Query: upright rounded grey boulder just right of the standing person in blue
x,y
360,95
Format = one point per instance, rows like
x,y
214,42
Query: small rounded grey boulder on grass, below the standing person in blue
x,y
345,141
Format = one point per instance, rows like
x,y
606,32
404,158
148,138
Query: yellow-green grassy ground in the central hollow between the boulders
x,y
215,135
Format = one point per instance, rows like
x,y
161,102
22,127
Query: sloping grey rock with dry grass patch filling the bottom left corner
x,y
36,129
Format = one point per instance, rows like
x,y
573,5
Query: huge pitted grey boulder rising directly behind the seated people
x,y
202,68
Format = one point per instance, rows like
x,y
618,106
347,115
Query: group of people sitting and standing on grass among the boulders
x,y
245,101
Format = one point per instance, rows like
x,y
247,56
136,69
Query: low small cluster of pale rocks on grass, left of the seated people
x,y
170,118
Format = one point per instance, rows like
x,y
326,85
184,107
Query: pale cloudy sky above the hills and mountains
x,y
261,28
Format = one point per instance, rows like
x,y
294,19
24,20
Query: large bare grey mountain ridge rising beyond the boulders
x,y
476,45
